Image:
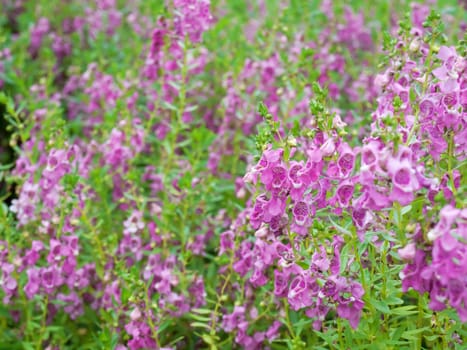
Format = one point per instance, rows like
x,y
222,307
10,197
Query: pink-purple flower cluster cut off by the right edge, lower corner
x,y
436,266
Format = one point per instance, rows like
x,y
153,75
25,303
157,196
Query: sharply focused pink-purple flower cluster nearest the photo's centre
x,y
295,191
